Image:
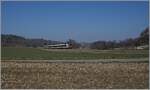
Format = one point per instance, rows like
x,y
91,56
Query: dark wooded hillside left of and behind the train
x,y
19,41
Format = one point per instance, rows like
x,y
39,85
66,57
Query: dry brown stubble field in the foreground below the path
x,y
74,75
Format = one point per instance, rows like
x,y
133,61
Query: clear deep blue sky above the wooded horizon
x,y
85,21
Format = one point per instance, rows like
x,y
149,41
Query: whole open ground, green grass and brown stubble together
x,y
37,68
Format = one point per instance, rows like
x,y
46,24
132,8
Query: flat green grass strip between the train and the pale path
x,y
32,53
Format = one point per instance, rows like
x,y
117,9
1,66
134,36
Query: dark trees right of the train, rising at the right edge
x,y
142,39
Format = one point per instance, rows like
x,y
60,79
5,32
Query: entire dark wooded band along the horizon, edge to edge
x,y
18,41
